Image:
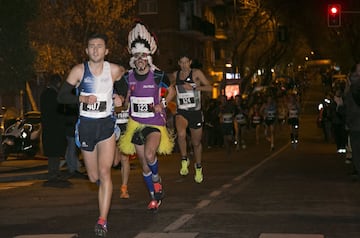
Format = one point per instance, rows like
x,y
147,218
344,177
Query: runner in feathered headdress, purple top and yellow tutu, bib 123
x,y
146,133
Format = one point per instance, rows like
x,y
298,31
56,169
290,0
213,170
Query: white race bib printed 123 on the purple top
x,y
142,107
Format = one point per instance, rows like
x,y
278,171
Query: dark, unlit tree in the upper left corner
x,y
16,56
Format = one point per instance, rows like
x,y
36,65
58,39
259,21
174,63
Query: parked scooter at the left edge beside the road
x,y
22,137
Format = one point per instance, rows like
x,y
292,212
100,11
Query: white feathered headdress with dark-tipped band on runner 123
x,y
140,40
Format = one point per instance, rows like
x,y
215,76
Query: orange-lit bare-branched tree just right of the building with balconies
x,y
253,37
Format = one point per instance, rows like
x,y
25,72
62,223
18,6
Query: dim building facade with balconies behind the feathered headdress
x,y
187,26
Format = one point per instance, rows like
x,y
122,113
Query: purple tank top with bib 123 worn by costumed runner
x,y
143,96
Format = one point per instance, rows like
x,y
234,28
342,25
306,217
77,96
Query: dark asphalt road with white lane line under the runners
x,y
289,193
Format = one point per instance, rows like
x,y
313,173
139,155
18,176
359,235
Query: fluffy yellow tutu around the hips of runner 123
x,y
166,141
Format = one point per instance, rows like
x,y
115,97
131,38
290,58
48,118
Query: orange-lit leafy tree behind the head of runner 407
x,y
59,33
